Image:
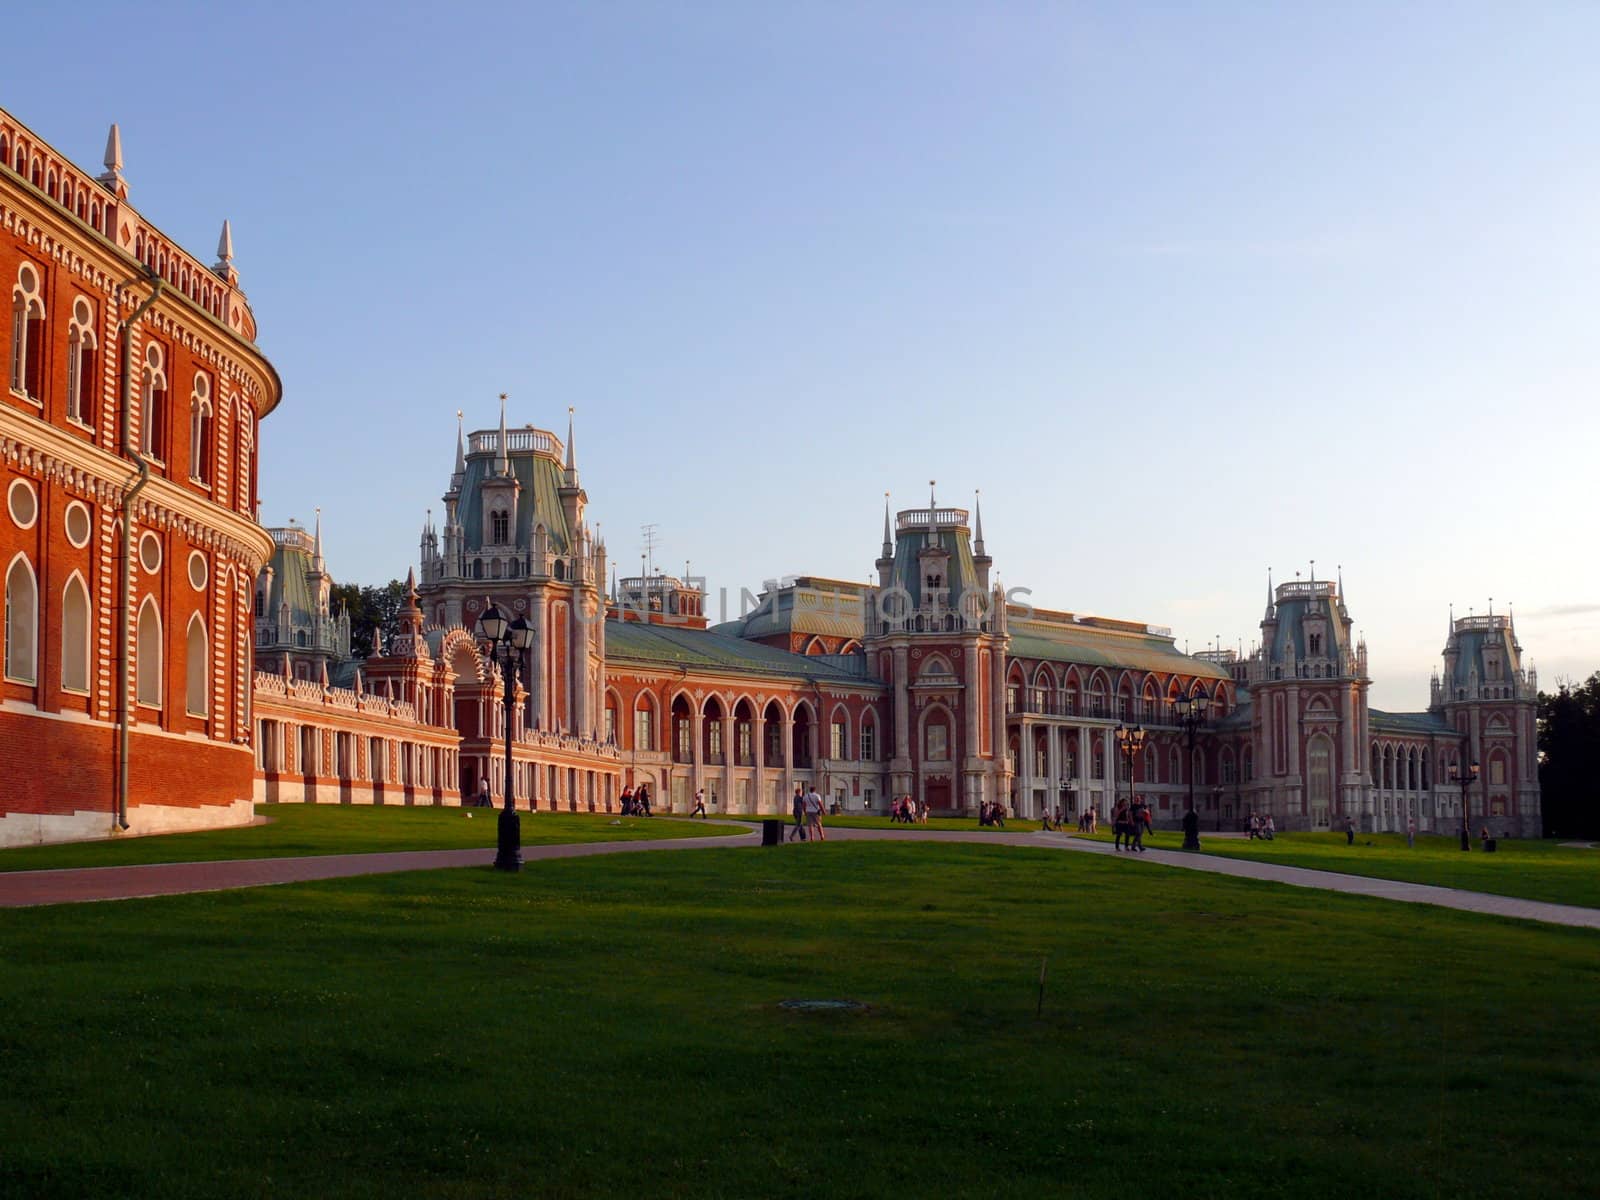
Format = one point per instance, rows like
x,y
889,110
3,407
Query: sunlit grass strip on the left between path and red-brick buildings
x,y
350,830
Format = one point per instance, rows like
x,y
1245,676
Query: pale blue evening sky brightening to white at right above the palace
x,y
1188,292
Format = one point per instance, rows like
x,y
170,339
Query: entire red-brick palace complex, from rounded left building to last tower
x,y
154,633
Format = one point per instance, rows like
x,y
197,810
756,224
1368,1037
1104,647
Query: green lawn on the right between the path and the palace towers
x,y
1526,868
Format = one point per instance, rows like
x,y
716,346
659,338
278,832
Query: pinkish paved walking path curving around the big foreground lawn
x,y
22,889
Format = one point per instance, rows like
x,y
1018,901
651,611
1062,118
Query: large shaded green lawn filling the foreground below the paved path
x,y
610,1026
